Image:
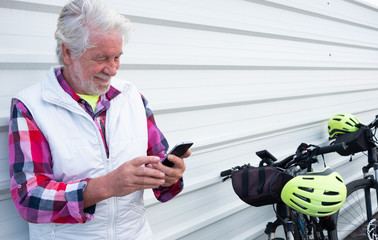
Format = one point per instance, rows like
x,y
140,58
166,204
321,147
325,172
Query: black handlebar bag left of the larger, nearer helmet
x,y
259,186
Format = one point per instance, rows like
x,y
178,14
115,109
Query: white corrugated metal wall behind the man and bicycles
x,y
234,76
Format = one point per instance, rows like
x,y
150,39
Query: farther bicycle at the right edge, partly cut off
x,y
360,207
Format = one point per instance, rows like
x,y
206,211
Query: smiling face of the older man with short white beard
x,y
91,73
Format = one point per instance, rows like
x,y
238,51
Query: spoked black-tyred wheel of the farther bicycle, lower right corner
x,y
353,214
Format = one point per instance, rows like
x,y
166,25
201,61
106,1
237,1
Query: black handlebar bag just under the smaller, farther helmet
x,y
358,141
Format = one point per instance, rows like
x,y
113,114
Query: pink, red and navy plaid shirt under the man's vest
x,y
37,196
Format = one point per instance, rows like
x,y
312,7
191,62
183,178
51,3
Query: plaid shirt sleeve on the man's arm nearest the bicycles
x,y
158,146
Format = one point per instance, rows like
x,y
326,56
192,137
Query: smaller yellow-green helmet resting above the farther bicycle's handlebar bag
x,y
342,123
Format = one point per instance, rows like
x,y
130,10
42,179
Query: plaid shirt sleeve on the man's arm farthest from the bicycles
x,y
37,196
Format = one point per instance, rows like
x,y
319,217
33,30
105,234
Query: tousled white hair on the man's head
x,y
81,17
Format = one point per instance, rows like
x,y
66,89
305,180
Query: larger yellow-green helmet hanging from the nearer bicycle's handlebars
x,y
317,194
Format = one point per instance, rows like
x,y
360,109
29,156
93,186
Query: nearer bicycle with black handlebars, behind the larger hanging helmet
x,y
296,225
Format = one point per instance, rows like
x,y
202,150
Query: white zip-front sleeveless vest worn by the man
x,y
78,152
